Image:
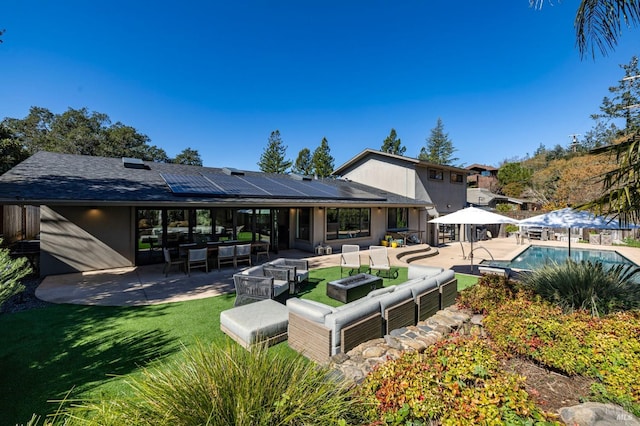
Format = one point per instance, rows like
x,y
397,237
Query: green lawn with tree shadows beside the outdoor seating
x,y
89,350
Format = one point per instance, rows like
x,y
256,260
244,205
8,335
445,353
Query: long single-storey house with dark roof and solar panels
x,y
100,213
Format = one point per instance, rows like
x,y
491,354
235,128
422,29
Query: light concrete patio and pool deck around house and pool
x,y
146,285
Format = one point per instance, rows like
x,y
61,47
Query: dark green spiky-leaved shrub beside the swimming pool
x,y
586,285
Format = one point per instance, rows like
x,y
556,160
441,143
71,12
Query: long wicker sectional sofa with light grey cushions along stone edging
x,y
320,331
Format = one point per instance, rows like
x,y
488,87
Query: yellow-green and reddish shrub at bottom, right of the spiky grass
x,y
457,381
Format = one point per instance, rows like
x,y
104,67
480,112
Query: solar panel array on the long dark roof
x,y
254,186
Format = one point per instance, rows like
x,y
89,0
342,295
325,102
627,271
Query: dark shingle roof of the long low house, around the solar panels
x,y
51,178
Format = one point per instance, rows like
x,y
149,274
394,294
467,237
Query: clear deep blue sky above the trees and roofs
x,y
220,76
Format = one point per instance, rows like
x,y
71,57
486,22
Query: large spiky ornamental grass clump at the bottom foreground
x,y
230,386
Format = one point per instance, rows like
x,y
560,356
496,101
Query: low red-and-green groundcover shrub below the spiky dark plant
x,y
604,348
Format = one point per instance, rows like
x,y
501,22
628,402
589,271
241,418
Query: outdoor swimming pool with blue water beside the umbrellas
x,y
535,257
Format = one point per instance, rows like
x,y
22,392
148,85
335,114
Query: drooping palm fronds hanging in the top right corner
x,y
599,22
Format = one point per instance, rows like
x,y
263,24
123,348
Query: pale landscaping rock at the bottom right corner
x,y
597,414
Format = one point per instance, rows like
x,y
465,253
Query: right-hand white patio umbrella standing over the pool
x,y
570,218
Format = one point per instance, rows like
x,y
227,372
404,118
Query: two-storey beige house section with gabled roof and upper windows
x,y
443,186
